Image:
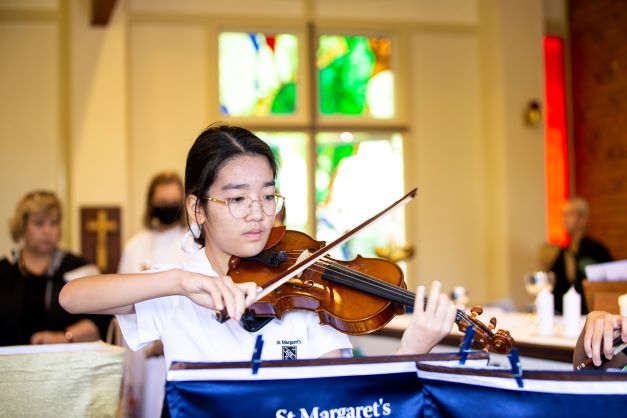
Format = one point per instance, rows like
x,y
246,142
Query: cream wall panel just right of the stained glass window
x,y
446,127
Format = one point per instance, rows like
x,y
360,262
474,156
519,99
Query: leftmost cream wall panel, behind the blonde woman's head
x,y
31,146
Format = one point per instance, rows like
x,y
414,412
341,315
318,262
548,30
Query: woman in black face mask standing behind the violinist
x,y
159,240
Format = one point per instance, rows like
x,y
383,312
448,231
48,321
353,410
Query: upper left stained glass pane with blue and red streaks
x,y
258,74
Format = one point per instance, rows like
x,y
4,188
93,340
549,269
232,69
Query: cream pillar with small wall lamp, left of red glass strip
x,y
512,74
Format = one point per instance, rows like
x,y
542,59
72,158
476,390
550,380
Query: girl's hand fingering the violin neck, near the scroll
x,y
430,323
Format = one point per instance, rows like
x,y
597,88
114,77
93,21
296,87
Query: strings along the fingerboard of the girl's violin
x,y
379,287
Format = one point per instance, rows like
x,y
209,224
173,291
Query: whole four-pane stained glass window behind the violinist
x,y
356,173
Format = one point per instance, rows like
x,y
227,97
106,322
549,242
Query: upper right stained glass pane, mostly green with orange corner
x,y
355,77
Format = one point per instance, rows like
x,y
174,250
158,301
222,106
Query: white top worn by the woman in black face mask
x,y
148,247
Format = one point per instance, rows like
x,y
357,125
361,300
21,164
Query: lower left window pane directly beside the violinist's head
x,y
291,150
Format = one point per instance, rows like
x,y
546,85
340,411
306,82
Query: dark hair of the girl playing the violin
x,y
212,149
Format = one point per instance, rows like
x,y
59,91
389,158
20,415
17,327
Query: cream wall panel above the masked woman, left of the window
x,y
169,102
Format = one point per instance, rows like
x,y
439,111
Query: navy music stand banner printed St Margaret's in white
x,y
360,387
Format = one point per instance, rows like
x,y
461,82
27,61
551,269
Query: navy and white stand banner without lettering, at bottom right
x,y
455,392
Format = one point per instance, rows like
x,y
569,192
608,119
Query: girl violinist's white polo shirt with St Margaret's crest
x,y
190,333
